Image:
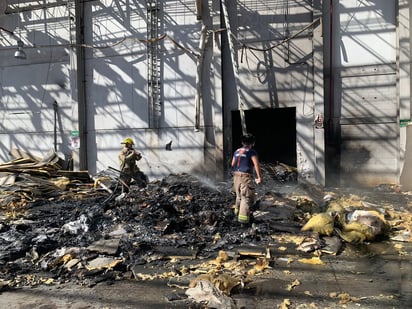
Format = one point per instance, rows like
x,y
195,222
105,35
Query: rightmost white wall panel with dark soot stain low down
x,y
366,91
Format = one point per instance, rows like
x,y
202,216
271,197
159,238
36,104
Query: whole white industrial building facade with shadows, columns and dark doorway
x,y
324,85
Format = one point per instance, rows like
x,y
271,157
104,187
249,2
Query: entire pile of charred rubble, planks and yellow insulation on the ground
x,y
59,226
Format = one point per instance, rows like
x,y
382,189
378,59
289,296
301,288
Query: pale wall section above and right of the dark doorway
x,y
276,67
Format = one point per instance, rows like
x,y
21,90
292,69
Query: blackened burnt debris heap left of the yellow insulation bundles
x,y
82,232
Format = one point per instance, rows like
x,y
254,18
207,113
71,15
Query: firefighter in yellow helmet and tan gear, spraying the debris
x,y
129,171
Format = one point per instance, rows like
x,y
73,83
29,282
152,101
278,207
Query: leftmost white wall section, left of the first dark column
x,y
29,88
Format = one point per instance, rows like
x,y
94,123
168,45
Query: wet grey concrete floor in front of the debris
x,y
376,275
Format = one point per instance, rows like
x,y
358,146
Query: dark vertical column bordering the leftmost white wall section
x,y
81,83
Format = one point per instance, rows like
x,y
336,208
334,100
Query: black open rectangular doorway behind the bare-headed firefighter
x,y
275,131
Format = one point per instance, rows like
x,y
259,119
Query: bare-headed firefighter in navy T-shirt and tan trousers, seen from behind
x,y
244,161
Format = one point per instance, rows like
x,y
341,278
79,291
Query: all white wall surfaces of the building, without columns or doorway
x,y
116,78
